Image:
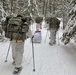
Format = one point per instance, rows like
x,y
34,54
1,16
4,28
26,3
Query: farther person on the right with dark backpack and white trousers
x,y
53,27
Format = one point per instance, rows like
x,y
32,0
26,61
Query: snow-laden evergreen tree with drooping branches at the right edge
x,y
70,30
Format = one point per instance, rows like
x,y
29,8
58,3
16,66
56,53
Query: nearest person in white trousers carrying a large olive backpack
x,y
16,30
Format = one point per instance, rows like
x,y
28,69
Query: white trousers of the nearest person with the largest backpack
x,y
17,52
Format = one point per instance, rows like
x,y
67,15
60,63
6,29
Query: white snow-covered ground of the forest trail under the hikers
x,y
49,60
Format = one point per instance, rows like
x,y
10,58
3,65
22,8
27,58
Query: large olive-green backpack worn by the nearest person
x,y
16,29
